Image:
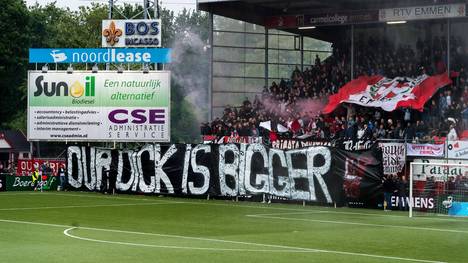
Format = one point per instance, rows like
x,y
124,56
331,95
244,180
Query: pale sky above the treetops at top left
x,y
175,5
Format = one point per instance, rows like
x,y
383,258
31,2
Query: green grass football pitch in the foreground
x,y
90,227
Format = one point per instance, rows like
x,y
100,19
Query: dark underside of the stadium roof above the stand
x,y
258,11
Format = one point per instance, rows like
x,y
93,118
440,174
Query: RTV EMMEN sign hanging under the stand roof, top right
x,y
422,12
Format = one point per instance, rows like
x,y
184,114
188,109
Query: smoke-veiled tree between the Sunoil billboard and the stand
x,y
190,73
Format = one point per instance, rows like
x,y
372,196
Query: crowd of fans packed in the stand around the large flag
x,y
295,104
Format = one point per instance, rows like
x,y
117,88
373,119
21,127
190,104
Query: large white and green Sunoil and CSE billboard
x,y
104,106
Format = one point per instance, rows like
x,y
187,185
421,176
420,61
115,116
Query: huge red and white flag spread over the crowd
x,y
388,94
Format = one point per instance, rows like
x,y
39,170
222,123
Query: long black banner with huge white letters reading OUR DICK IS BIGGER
x,y
226,170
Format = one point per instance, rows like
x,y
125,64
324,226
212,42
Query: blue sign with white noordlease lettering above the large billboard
x,y
99,55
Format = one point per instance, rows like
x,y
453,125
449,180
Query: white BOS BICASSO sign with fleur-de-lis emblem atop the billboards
x,y
131,33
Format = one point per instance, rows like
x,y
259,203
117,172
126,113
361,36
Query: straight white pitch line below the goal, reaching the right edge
x,y
359,224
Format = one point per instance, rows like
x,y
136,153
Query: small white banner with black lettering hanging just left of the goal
x,y
394,157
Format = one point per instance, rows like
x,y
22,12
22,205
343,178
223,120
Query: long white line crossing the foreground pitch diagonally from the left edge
x,y
299,249
